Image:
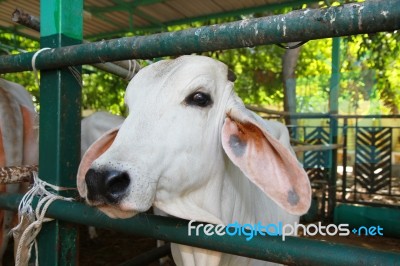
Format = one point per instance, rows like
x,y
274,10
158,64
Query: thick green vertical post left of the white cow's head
x,y
60,102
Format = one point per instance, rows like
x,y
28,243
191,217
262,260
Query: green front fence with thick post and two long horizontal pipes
x,y
61,25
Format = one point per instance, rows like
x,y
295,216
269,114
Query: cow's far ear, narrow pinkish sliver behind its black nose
x,y
93,152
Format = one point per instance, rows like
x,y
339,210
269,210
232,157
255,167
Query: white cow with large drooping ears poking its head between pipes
x,y
190,148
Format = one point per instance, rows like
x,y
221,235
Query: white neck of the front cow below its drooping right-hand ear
x,y
229,196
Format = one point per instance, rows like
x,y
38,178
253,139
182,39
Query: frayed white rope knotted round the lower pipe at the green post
x,y
34,218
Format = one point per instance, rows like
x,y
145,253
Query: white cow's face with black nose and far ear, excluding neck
x,y
168,145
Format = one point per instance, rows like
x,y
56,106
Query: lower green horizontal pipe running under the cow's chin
x,y
293,250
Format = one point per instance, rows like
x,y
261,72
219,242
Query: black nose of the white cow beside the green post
x,y
106,186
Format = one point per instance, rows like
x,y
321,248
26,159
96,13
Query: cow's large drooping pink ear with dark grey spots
x,y
266,161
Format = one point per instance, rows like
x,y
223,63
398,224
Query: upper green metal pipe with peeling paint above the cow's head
x,y
301,25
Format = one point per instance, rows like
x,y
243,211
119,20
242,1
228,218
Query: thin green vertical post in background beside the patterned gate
x,y
333,123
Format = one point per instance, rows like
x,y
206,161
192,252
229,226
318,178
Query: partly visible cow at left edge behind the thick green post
x,y
18,140
